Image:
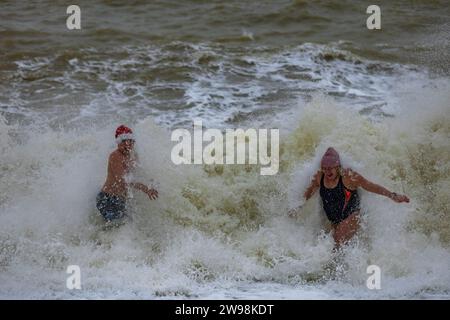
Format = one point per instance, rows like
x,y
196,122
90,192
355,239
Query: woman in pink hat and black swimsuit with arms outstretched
x,y
340,199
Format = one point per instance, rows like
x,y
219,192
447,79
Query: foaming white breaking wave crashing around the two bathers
x,y
222,232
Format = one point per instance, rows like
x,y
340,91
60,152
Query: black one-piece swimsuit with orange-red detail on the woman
x,y
338,202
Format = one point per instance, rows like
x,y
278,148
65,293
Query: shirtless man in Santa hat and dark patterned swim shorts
x,y
112,198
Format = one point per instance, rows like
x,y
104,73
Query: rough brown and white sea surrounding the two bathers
x,y
310,68
